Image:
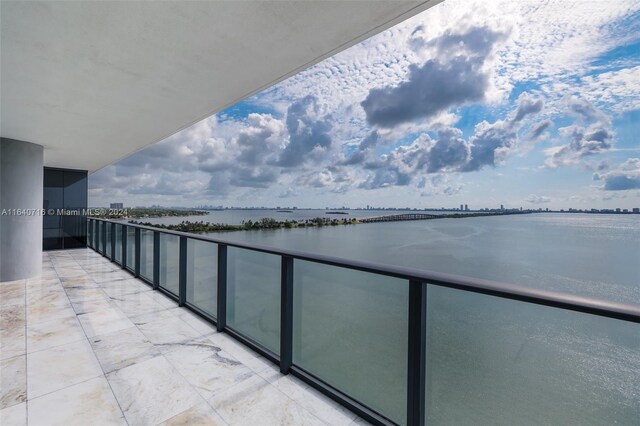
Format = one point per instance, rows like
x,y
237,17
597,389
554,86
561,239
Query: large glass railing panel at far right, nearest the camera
x,y
499,361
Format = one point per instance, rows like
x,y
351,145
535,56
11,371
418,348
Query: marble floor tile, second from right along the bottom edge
x,y
256,402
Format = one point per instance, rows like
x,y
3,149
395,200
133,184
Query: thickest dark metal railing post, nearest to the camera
x,y
416,371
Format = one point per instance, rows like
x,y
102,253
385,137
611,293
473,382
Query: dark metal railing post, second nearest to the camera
x,y
286,314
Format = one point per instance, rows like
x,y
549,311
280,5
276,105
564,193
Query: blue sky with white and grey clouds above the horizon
x,y
532,104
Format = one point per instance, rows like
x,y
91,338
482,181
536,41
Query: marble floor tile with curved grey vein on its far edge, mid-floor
x,y
207,367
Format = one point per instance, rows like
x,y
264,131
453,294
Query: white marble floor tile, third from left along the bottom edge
x,y
152,391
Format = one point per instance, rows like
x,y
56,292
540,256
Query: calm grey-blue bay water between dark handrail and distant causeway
x,y
590,255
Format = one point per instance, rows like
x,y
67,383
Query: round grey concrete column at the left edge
x,y
21,195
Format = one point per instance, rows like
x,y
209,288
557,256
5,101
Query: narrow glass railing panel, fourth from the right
x,y
202,276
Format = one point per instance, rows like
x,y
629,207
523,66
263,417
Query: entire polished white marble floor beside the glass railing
x,y
87,344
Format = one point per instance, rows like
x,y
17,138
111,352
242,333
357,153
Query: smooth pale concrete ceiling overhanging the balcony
x,y
94,82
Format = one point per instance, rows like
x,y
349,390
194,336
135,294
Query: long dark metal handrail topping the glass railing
x,y
555,299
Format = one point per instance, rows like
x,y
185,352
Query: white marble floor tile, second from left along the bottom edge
x,y
87,403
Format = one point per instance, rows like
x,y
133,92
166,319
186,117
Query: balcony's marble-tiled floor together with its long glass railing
x,y
174,328
